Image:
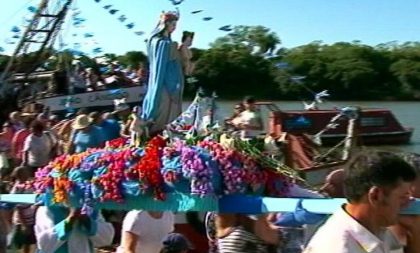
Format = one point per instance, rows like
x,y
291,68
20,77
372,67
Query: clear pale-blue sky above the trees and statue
x,y
296,22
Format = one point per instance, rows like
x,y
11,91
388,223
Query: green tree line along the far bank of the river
x,y
250,60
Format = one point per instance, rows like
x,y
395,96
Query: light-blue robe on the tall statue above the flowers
x,y
163,101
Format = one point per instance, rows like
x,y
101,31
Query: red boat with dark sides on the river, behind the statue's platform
x,y
373,126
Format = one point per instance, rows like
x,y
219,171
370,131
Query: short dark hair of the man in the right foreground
x,y
374,168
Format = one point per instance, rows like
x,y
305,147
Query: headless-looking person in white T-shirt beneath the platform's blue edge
x,y
143,231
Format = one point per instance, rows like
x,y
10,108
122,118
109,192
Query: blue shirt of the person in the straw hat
x,y
91,139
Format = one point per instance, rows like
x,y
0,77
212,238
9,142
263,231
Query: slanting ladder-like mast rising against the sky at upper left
x,y
38,36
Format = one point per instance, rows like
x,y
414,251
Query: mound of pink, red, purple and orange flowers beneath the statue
x,y
118,172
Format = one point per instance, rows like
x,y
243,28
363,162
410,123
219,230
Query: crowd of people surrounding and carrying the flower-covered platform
x,y
376,184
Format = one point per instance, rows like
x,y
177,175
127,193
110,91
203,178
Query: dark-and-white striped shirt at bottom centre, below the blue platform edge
x,y
241,241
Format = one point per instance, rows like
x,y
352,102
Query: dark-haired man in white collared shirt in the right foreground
x,y
376,185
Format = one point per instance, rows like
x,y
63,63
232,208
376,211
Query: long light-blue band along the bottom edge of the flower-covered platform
x,y
179,202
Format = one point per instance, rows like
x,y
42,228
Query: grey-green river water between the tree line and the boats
x,y
408,114
